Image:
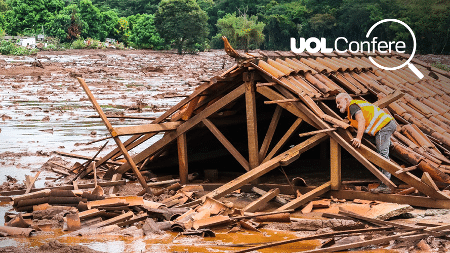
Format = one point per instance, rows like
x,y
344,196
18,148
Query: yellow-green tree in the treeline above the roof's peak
x,y
242,31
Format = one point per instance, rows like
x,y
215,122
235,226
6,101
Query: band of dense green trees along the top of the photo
x,y
191,25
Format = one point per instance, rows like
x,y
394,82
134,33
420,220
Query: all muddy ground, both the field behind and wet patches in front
x,y
44,109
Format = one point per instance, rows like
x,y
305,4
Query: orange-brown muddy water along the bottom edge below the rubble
x,y
170,242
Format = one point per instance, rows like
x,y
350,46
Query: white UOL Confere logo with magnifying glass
x,y
355,46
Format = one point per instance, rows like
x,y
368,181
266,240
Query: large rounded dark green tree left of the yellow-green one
x,y
182,23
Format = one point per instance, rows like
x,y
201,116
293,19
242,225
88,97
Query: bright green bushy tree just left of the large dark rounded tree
x,y
144,33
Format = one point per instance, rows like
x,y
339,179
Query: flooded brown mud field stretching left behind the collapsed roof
x,y
43,108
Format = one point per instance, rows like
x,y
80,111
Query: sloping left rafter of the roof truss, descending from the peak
x,y
169,137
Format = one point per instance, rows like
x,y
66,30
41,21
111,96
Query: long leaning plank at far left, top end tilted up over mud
x,y
114,135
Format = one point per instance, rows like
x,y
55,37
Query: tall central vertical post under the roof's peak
x,y
252,131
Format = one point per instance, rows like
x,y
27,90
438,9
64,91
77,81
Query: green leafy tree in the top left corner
x,y
30,15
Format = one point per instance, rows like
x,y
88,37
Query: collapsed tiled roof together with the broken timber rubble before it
x,y
259,115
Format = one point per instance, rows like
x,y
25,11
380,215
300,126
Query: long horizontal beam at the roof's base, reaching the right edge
x,y
417,201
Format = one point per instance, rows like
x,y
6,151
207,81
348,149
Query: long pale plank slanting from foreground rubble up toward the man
x,y
265,167
